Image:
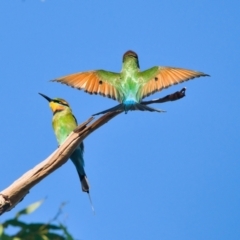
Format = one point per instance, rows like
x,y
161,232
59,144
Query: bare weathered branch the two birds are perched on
x,y
12,195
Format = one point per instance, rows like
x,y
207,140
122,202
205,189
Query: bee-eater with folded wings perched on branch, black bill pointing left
x,y
64,123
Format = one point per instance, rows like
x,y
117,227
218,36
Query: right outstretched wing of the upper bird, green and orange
x,y
157,78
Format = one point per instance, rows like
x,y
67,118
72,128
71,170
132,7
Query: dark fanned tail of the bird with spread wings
x,y
137,106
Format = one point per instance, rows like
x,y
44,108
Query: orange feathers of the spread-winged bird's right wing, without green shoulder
x,y
166,77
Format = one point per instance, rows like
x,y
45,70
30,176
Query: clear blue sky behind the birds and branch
x,y
153,176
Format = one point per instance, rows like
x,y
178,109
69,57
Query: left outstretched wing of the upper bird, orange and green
x,y
94,82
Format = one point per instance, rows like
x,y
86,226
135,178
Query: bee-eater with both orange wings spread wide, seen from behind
x,y
131,85
